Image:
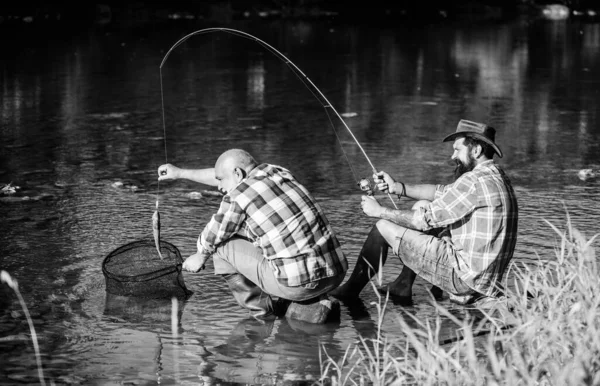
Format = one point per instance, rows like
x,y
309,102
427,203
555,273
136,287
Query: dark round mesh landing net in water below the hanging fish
x,y
135,269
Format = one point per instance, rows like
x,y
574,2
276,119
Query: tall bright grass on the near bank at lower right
x,y
546,331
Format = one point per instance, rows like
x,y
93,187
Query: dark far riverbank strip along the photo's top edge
x,y
221,12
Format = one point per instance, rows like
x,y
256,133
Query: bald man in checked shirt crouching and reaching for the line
x,y
269,237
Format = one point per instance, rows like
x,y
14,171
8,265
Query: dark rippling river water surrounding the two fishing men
x,y
82,134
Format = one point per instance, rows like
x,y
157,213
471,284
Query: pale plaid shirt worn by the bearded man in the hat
x,y
480,211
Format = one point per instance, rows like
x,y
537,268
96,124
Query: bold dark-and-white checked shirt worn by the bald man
x,y
279,216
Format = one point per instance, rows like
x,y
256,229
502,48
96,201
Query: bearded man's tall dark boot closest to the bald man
x,y
372,255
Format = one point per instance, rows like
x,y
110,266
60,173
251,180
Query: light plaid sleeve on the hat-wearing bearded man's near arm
x,y
452,203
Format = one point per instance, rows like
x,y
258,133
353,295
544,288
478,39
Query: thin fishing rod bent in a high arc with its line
x,y
363,183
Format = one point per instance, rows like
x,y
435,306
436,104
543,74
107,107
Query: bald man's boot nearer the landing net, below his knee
x,y
250,296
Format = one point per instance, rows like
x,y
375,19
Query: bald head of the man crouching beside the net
x,y
232,167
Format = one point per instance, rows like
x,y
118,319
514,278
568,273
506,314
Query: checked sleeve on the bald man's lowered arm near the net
x,y
225,223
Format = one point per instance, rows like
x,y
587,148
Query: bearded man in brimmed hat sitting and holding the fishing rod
x,y
458,237
